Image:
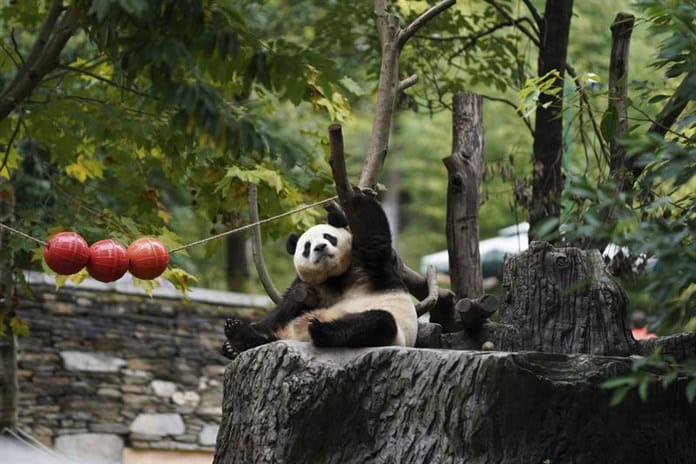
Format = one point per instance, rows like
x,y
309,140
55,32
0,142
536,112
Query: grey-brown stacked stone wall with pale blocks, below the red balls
x,y
107,364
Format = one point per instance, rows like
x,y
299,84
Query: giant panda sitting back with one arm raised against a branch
x,y
347,292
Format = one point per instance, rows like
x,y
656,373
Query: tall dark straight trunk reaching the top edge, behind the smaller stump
x,y
547,180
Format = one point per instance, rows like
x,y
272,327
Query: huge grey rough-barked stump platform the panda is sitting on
x,y
288,403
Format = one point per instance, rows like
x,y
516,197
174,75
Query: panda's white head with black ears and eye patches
x,y
321,252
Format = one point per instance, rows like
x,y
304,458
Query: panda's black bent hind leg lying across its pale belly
x,y
375,327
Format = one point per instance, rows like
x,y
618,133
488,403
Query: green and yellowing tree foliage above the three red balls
x,y
152,104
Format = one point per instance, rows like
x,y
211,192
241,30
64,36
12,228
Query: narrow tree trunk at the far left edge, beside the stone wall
x,y
8,342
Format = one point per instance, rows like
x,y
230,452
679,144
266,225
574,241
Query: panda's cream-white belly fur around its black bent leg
x,y
398,303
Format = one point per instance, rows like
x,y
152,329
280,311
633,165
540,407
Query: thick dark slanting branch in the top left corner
x,y
43,57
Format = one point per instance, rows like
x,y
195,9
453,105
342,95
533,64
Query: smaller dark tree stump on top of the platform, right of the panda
x,y
559,300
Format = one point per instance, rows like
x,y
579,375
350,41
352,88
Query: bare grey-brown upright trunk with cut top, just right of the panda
x,y
465,169
